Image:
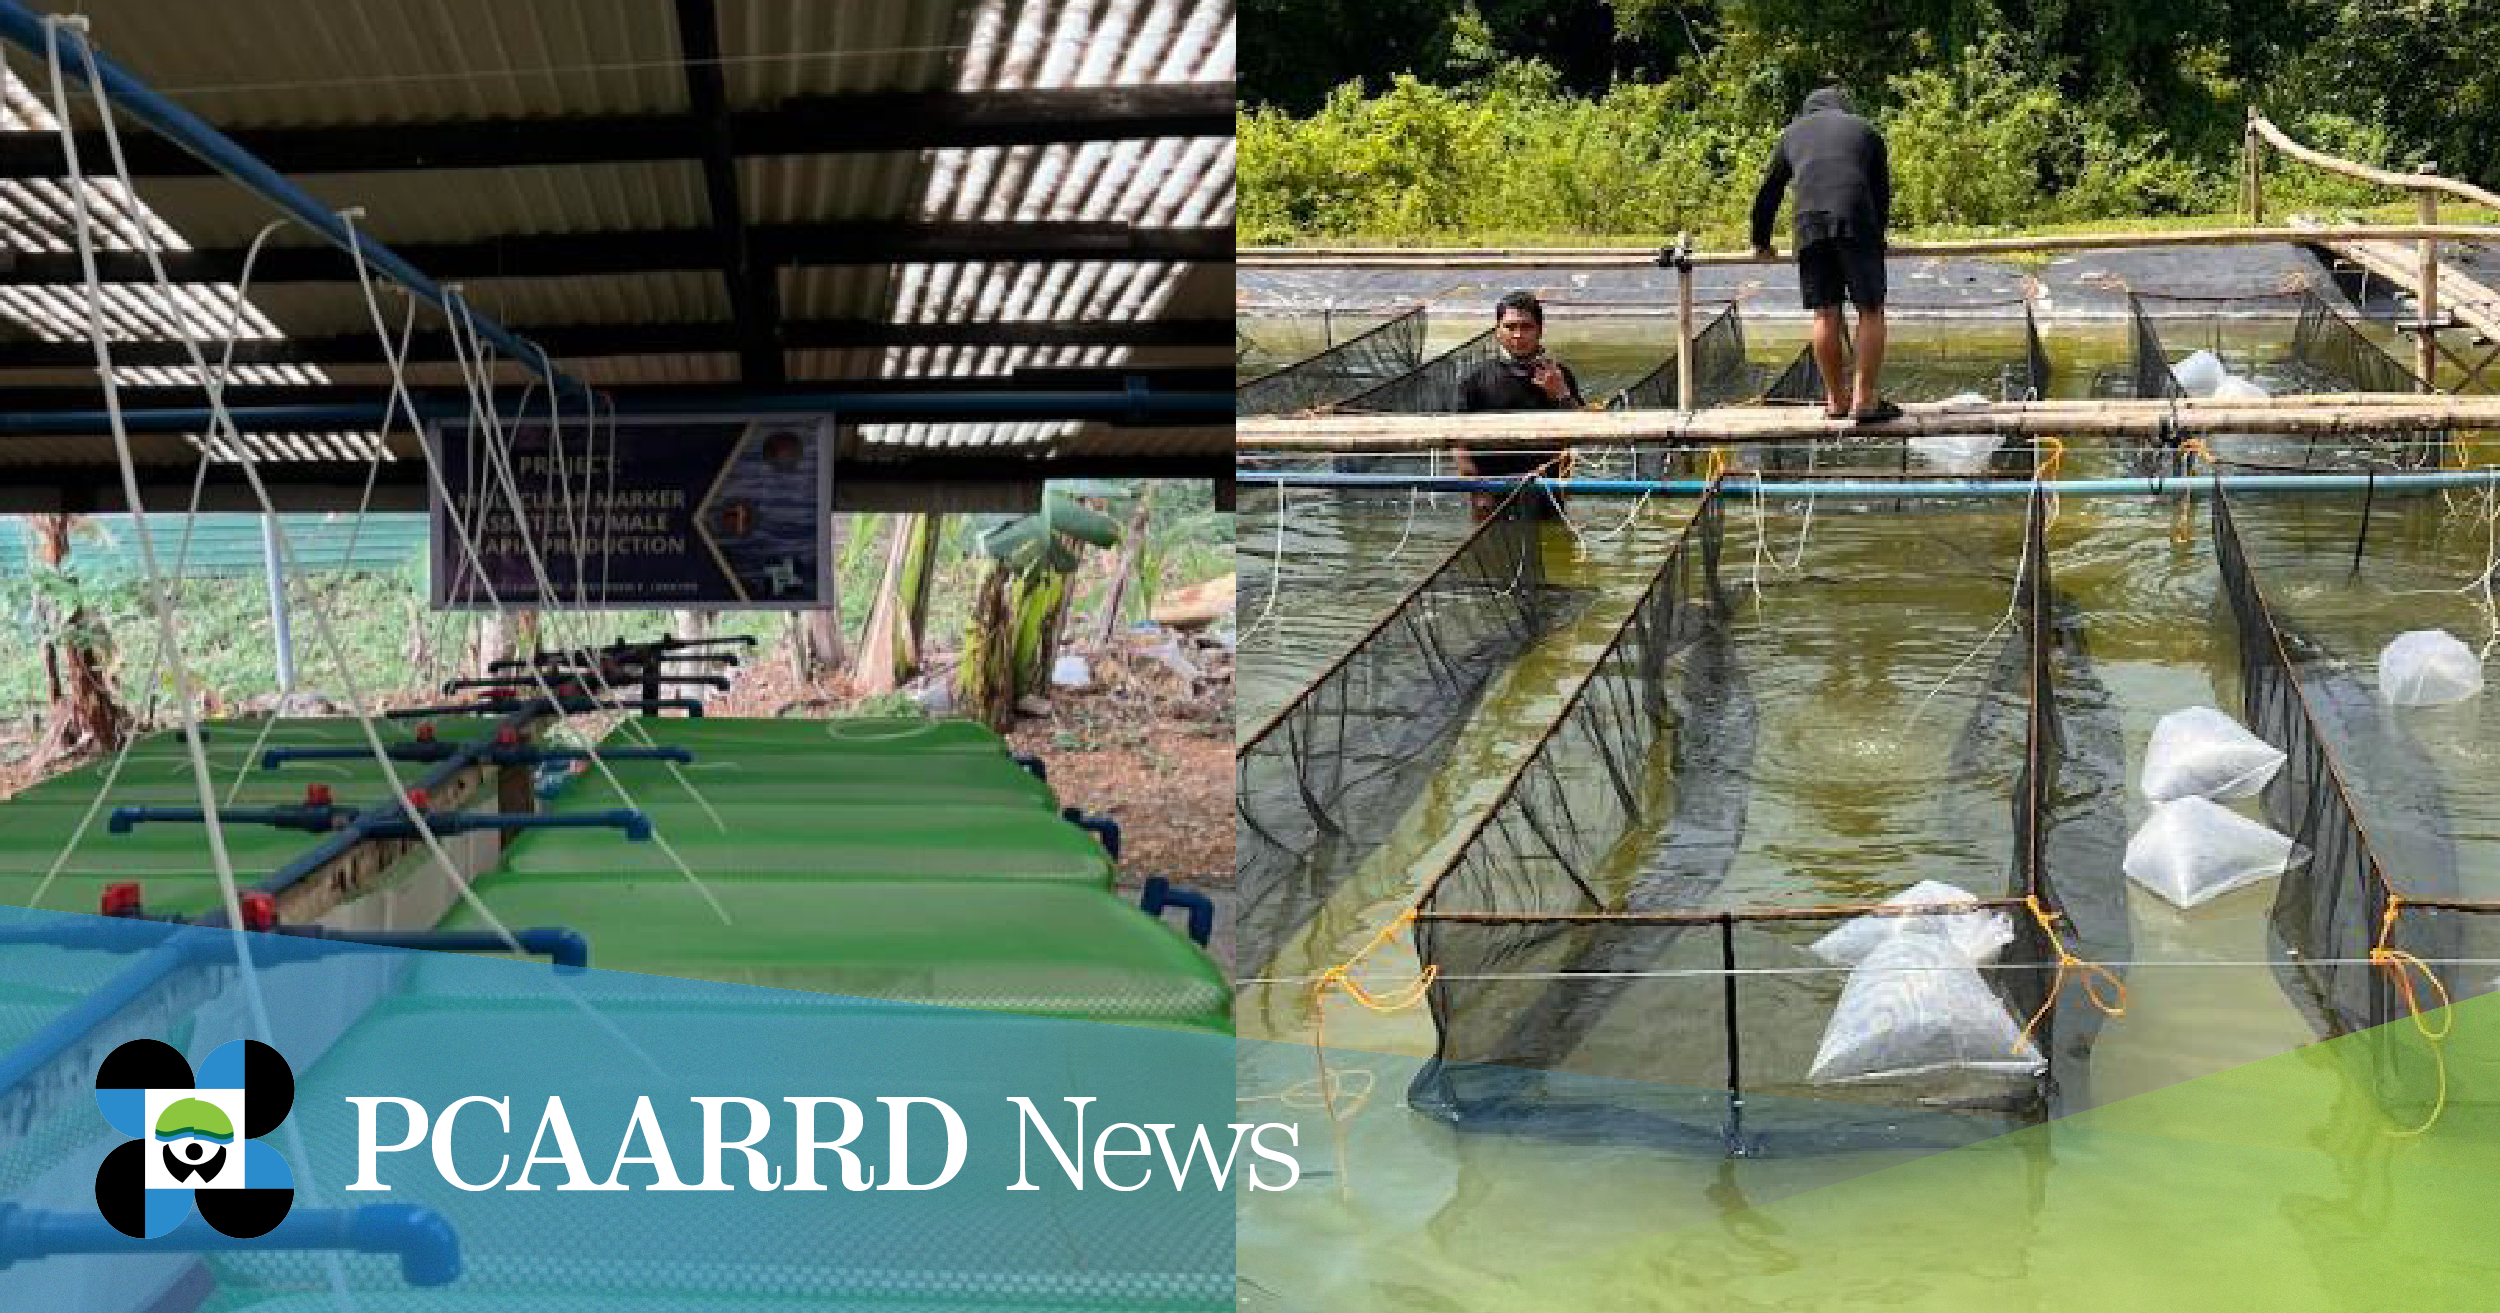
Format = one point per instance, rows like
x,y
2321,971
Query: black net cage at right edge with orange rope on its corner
x,y
2371,929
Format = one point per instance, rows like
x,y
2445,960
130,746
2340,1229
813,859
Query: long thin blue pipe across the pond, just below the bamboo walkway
x,y
1744,486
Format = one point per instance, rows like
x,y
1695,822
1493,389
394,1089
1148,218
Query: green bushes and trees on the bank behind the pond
x,y
1569,121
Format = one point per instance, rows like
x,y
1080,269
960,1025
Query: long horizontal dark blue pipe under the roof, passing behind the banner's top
x,y
1129,406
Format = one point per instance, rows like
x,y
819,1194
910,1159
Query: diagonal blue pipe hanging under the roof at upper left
x,y
136,99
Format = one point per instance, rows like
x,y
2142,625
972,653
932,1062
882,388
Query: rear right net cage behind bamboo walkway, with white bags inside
x,y
2326,354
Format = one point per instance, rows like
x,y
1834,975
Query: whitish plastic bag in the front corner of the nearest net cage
x,y
1916,1009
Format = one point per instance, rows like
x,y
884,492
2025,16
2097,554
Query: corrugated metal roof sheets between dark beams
x,y
259,64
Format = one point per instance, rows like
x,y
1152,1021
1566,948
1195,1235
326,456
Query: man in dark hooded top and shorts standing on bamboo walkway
x,y
1844,184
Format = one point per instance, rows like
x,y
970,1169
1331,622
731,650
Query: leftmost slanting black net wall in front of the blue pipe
x,y
1324,782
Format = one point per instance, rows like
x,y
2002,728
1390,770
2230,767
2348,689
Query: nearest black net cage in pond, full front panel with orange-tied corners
x,y
1579,1002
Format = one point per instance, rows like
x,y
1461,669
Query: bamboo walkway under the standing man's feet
x,y
1774,424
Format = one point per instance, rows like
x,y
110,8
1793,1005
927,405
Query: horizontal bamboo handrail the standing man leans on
x,y
1624,256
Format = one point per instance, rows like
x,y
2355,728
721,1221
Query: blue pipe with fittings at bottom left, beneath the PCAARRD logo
x,y
424,1242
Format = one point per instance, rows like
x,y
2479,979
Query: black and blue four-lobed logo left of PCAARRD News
x,y
194,1139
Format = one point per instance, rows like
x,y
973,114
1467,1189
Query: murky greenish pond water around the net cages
x,y
1869,634
